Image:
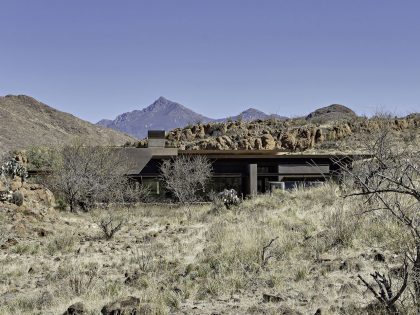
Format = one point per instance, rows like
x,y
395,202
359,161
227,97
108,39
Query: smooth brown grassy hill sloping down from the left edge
x,y
26,122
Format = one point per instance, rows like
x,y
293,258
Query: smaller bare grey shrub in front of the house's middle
x,y
185,176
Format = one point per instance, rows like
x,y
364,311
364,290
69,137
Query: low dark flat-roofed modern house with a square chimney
x,y
247,171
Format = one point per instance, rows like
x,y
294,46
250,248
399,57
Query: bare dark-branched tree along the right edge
x,y
389,181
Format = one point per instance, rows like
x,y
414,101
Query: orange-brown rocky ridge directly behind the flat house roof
x,y
293,135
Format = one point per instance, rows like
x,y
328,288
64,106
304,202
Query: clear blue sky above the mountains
x,y
99,58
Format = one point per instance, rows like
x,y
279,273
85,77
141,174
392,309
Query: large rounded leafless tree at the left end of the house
x,y
85,175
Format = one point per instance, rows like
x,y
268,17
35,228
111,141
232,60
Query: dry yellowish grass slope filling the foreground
x,y
198,261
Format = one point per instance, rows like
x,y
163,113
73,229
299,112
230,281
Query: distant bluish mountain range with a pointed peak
x,y
167,115
